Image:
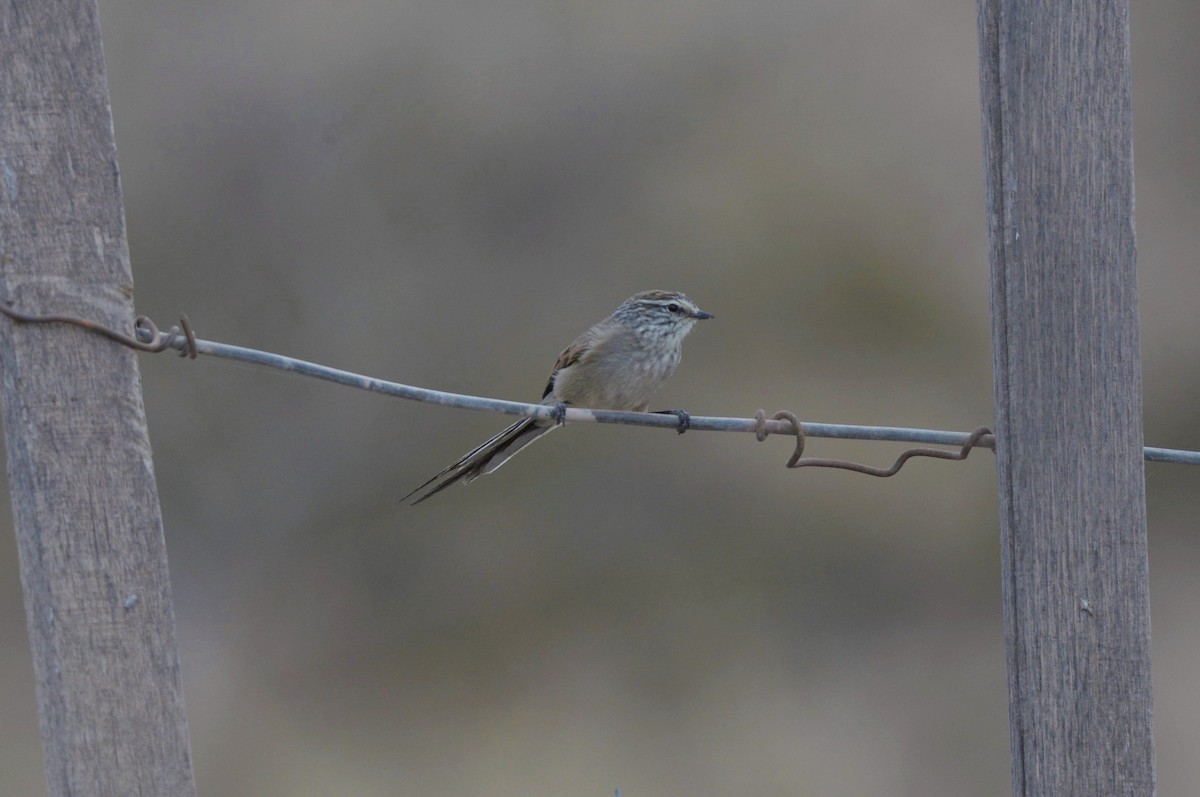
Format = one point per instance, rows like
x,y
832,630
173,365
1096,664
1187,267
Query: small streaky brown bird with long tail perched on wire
x,y
617,364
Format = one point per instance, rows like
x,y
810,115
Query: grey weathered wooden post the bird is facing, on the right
x,y
1059,160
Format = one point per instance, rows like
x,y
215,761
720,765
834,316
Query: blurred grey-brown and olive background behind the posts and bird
x,y
445,194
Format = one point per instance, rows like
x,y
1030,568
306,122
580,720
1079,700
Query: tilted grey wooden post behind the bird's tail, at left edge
x,y
89,530
